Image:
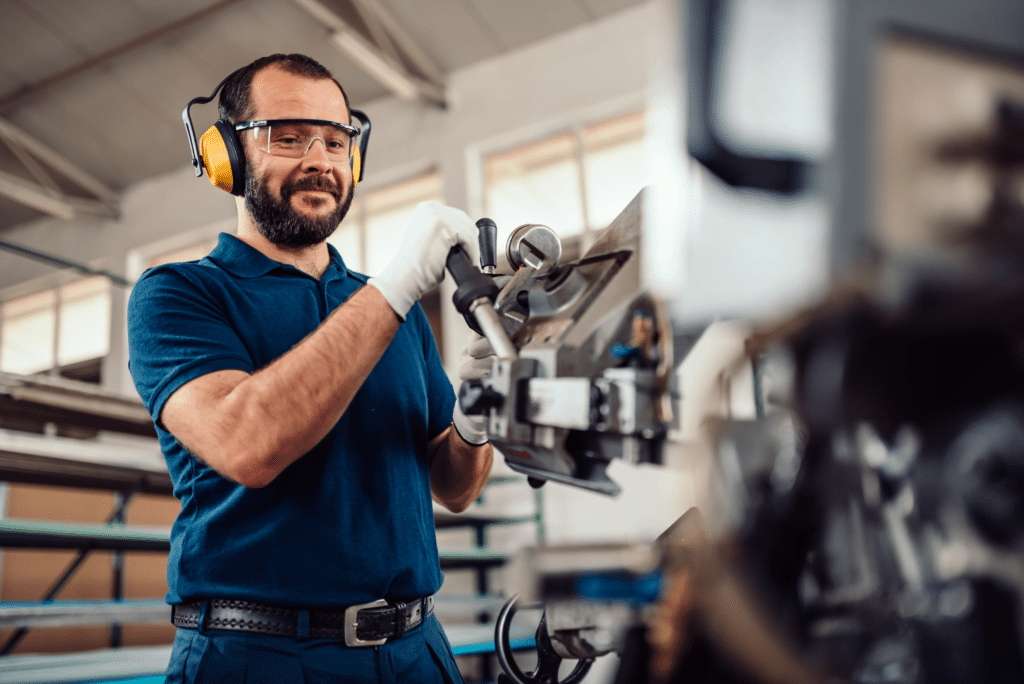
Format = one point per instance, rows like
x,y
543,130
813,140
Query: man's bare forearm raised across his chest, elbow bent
x,y
252,427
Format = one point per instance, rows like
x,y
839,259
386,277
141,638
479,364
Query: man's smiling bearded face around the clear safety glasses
x,y
296,202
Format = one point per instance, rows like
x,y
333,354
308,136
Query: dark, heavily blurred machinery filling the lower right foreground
x,y
868,526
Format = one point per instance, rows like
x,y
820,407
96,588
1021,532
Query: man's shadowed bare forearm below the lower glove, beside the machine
x,y
458,471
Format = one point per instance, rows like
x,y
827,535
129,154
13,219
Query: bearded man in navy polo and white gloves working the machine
x,y
305,416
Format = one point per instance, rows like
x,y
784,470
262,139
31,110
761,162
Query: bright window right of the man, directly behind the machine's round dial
x,y
576,182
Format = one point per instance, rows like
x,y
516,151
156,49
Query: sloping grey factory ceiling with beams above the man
x,y
92,92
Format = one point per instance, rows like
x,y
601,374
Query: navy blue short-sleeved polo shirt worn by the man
x,y
349,523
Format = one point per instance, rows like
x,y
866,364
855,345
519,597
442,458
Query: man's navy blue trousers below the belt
x,y
423,656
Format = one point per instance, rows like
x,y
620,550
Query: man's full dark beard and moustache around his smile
x,y
281,224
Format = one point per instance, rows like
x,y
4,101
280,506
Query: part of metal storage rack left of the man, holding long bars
x,y
54,405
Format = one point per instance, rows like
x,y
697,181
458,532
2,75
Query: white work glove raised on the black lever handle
x,y
419,265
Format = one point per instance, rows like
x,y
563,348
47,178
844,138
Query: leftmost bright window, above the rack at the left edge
x,y
65,328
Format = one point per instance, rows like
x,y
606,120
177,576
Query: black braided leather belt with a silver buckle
x,y
365,625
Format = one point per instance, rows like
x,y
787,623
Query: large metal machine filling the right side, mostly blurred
x,y
867,525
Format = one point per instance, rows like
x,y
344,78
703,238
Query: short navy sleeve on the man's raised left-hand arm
x,y
179,331
